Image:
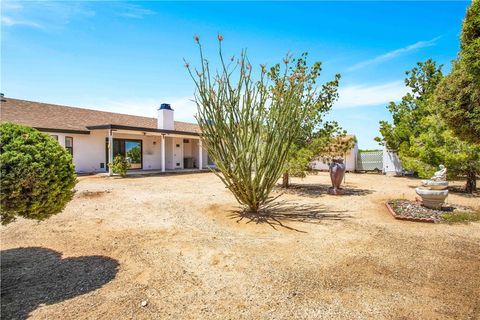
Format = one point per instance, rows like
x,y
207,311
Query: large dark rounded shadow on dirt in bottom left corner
x,y
34,276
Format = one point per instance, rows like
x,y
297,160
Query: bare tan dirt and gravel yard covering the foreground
x,y
179,244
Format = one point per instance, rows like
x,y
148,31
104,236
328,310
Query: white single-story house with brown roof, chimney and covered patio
x,y
95,137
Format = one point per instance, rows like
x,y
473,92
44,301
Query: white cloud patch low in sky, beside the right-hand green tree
x,y
369,95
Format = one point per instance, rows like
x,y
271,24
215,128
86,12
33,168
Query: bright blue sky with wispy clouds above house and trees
x,y
128,56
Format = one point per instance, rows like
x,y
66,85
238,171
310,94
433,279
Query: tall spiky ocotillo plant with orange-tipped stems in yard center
x,y
247,126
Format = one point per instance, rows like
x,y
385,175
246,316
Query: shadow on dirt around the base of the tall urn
x,y
317,190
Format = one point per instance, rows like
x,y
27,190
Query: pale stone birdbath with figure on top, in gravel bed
x,y
434,191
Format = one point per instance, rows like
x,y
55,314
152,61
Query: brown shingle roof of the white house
x,y
51,116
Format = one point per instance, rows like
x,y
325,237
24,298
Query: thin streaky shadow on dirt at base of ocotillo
x,y
279,213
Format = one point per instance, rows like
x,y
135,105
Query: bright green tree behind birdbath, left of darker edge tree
x,y
419,134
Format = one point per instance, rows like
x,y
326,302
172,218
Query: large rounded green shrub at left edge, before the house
x,y
37,174
